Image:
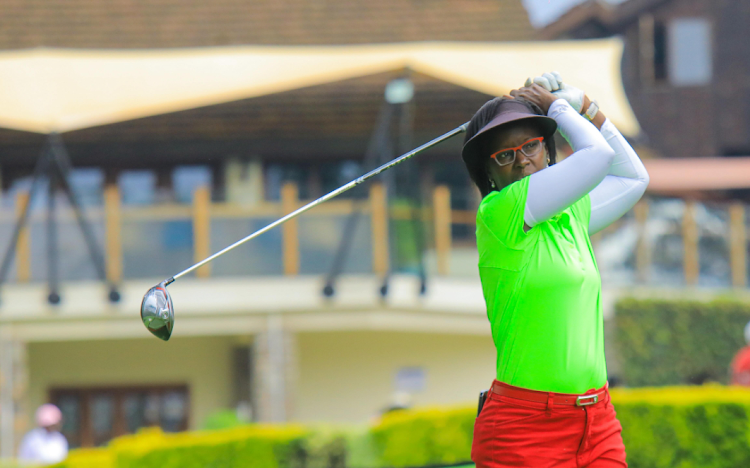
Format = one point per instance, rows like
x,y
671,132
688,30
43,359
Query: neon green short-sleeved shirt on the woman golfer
x,y
543,294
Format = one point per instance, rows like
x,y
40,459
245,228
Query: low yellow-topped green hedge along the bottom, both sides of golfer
x,y
686,427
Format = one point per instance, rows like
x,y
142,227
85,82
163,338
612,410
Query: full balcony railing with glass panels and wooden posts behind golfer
x,y
662,242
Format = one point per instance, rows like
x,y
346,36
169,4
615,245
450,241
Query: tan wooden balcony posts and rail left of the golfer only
x,y
202,211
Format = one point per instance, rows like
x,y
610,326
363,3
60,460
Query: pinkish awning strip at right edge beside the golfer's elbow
x,y
681,175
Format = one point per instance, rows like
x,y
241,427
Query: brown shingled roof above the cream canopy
x,y
201,23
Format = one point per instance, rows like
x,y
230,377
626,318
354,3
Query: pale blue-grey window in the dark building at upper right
x,y
689,49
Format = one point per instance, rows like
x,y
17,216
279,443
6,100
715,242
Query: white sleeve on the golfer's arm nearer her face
x,y
556,188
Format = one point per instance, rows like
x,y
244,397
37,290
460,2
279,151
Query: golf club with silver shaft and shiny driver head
x,y
157,310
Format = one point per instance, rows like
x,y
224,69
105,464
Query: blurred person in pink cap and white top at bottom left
x,y
45,444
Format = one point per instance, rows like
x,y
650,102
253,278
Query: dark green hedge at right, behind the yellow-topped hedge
x,y
660,342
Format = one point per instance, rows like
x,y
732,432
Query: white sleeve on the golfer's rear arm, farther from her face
x,y
622,187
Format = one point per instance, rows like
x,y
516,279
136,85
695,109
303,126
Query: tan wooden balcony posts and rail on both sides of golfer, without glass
x,y
439,218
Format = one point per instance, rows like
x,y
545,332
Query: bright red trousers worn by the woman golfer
x,y
510,432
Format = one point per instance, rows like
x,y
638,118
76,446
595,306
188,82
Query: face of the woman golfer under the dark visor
x,y
513,136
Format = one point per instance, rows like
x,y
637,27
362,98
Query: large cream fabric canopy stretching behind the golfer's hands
x,y
60,90
